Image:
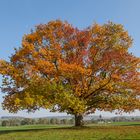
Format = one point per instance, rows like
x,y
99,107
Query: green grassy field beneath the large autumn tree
x,y
114,131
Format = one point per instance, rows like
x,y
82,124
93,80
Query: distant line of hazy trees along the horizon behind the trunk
x,y
64,121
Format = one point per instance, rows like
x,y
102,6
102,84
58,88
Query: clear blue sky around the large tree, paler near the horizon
x,y
18,17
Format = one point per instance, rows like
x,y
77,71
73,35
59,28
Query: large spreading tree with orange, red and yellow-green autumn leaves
x,y
62,68
